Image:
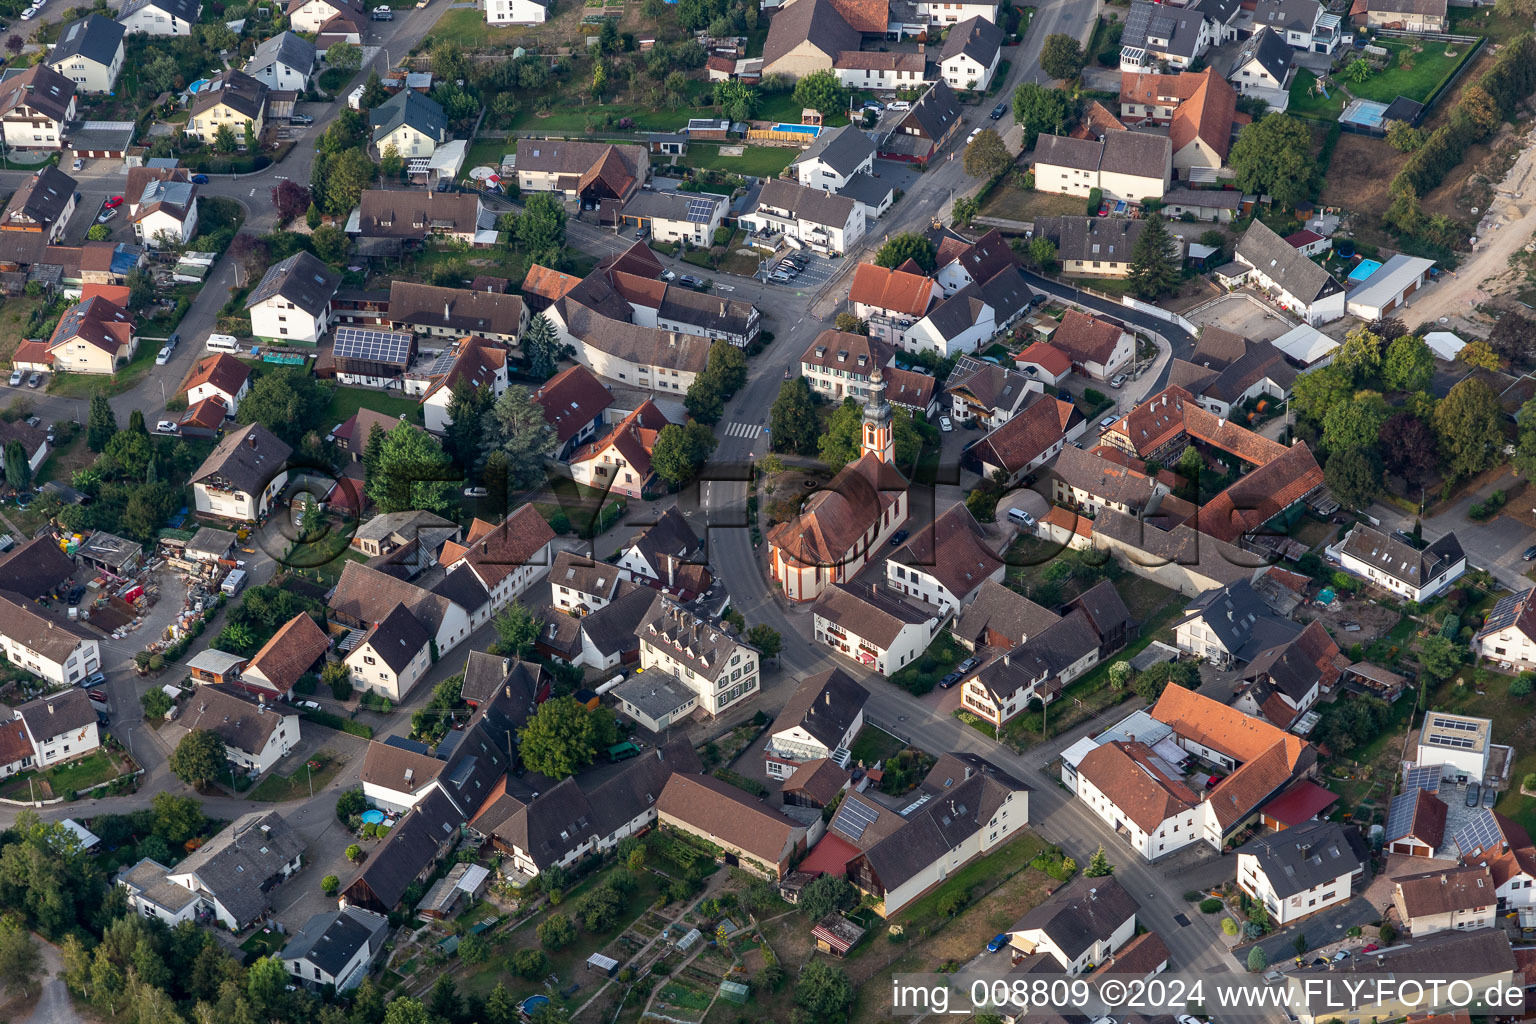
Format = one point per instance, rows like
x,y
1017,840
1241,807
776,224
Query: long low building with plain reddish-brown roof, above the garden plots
x,y
750,834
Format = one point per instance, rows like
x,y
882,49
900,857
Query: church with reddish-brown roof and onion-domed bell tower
x,y
841,527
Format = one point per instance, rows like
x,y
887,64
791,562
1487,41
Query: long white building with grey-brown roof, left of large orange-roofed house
x,y
1131,167
